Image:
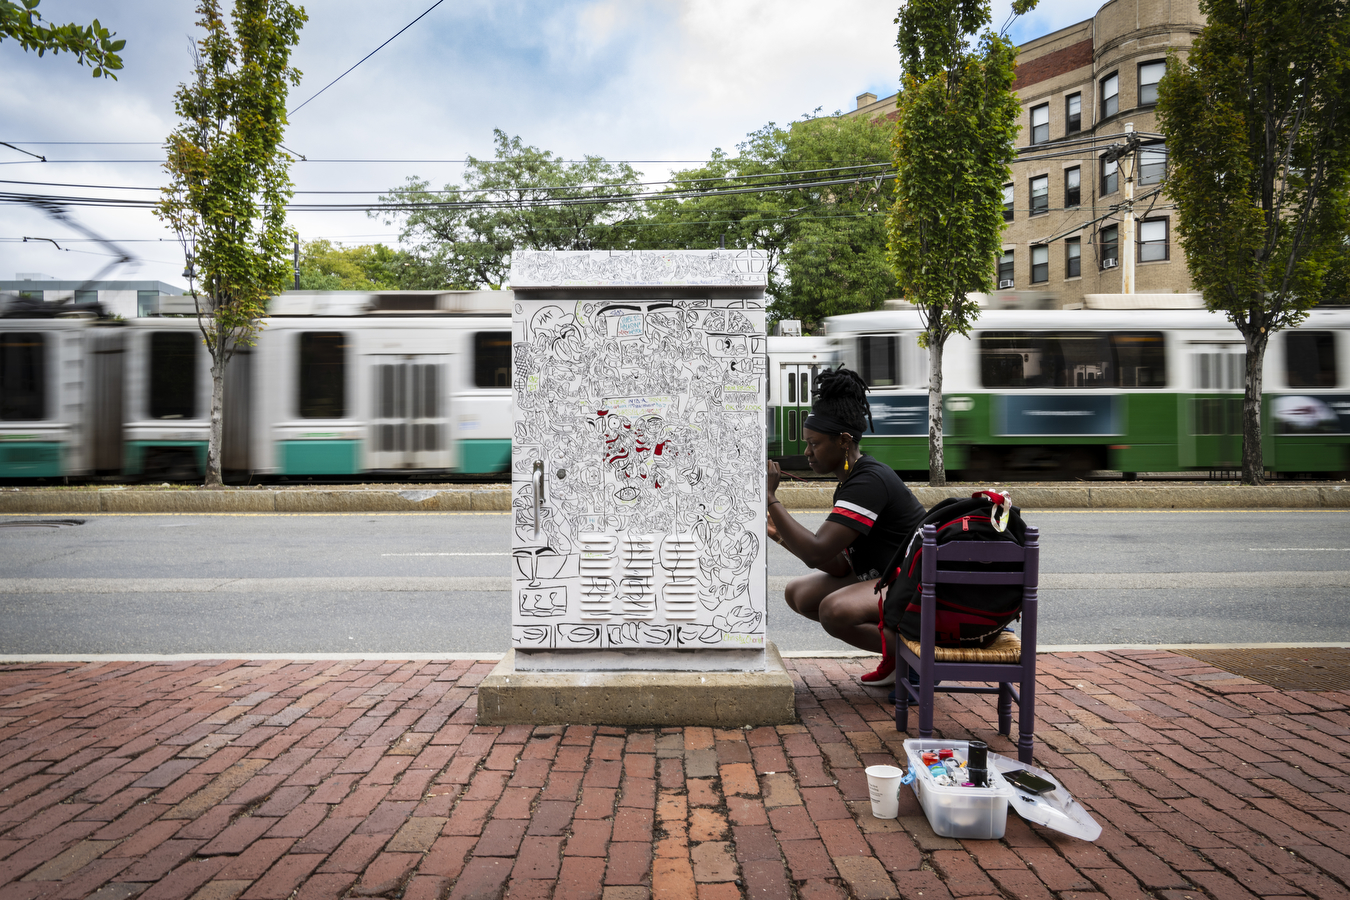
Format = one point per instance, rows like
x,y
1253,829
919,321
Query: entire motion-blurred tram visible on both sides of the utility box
x,y
350,385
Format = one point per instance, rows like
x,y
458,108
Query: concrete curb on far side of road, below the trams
x,y
497,499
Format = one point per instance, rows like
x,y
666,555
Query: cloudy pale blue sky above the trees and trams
x,y
659,84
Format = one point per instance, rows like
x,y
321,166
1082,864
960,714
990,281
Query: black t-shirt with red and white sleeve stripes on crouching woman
x,y
875,503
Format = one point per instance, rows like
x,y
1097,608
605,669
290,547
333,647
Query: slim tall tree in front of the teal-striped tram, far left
x,y
229,179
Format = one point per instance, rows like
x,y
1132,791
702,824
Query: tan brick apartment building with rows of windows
x,y
1083,91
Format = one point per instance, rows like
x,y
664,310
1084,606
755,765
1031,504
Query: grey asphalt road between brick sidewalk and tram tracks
x,y
437,584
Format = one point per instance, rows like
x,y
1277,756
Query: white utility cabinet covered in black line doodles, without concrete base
x,y
638,465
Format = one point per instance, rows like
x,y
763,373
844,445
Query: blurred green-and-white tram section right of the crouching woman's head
x,y
1062,393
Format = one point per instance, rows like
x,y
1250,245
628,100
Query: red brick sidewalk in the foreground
x,y
268,781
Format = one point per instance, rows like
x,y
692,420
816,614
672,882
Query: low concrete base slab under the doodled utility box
x,y
724,700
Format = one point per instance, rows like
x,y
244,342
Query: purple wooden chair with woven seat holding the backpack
x,y
1008,662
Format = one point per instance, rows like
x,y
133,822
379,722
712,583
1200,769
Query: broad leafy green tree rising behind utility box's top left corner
x,y
524,199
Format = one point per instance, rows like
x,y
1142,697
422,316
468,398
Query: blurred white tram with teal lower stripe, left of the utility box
x,y
340,384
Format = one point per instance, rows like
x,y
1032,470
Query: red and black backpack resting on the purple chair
x,y
967,615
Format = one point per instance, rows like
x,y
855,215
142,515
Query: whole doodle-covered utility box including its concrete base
x,y
639,387
